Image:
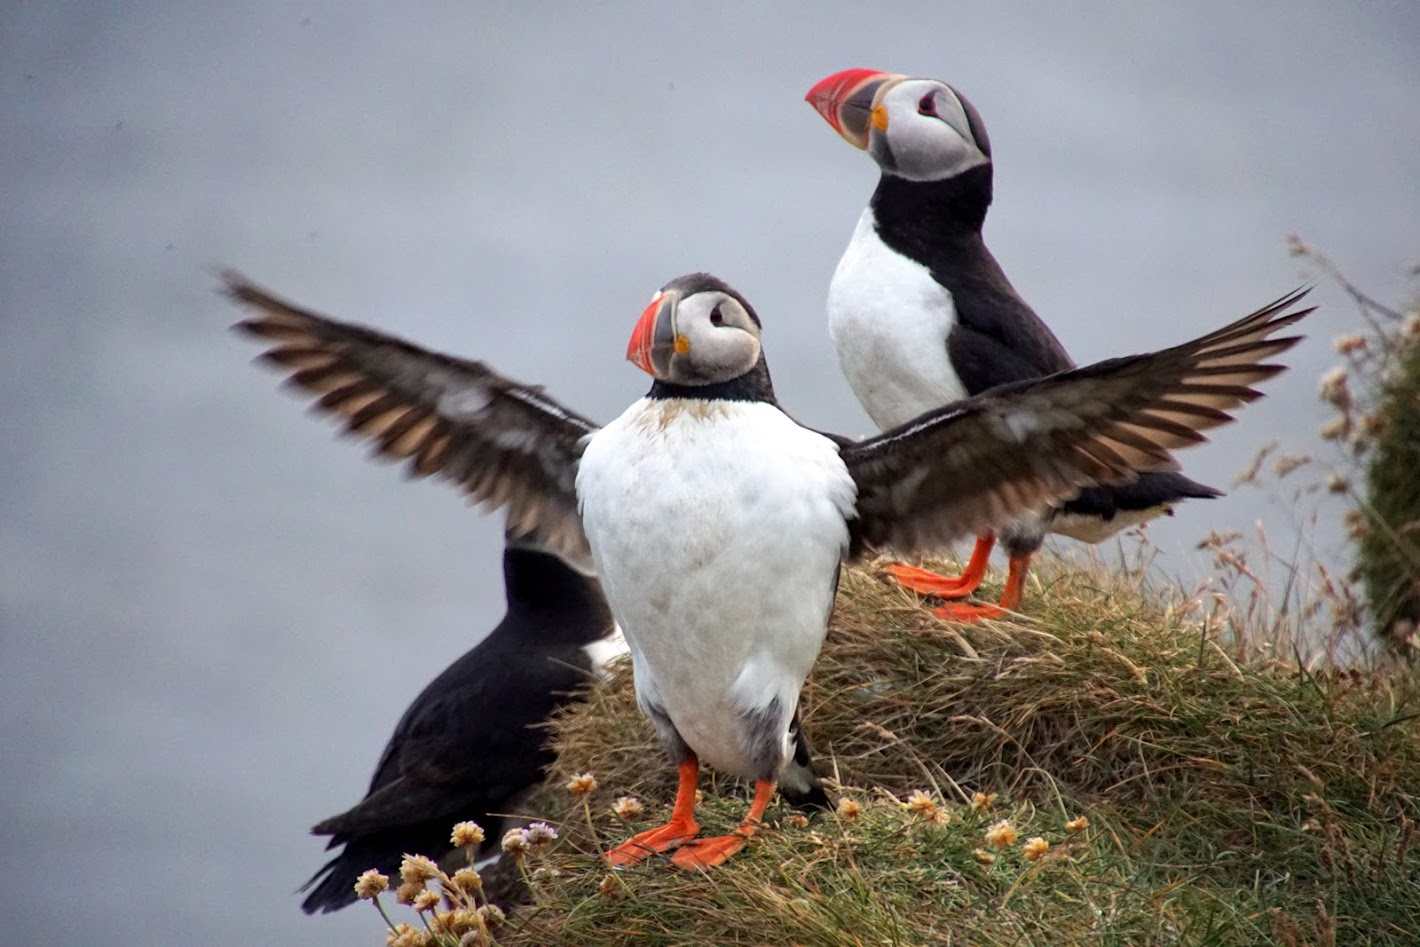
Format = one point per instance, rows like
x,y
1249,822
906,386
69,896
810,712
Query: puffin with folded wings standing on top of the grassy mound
x,y
922,314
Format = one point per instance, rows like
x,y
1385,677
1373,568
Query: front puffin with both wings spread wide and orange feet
x,y
716,523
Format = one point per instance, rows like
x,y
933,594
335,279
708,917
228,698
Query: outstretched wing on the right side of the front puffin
x,y
976,465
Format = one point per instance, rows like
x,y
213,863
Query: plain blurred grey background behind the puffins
x,y
214,611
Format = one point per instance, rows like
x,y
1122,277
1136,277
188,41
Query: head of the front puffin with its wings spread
x,y
697,332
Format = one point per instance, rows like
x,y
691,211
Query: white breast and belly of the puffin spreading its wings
x,y
718,530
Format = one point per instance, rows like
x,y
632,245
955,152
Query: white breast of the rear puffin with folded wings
x,y
890,322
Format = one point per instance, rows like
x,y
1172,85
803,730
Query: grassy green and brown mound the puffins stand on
x,y
1230,800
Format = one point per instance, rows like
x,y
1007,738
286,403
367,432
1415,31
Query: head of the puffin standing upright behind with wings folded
x,y
921,130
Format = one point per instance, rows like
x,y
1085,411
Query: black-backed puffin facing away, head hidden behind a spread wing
x,y
472,745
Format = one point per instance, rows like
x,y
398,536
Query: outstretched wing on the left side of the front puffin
x,y
502,442
